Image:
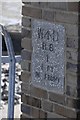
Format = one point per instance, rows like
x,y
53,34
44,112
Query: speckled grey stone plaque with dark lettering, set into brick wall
x,y
48,55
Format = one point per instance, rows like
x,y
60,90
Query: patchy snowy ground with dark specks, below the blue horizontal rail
x,y
4,91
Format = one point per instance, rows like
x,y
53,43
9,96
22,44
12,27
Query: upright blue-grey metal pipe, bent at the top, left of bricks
x,y
12,61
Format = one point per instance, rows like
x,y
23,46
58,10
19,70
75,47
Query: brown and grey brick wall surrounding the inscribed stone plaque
x,y
37,102
